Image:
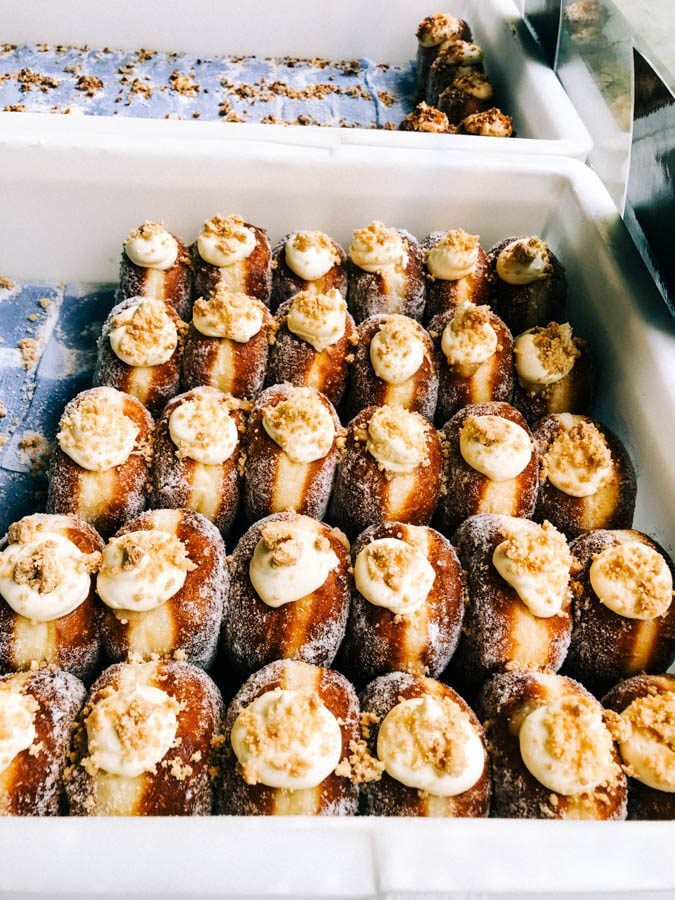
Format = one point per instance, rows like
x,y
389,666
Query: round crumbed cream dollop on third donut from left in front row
x,y
286,739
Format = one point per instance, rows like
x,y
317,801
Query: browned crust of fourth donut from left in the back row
x,y
369,293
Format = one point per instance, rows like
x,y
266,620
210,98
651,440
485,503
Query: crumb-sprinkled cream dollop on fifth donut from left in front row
x,y
566,745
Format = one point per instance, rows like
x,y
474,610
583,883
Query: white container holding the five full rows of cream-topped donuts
x,y
66,207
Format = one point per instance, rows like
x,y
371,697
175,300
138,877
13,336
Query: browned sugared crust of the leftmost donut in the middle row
x,y
104,499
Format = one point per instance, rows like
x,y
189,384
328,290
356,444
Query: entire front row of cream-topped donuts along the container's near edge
x,y
153,739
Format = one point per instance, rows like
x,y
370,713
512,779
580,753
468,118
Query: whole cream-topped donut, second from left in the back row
x,y
232,253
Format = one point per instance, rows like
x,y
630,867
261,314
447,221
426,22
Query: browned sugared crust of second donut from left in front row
x,y
181,783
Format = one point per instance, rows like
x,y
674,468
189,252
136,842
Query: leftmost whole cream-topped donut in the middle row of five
x,y
101,464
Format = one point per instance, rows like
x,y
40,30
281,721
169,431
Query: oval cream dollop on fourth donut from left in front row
x,y
429,743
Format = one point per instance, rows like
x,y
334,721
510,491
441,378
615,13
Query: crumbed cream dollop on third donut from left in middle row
x,y
301,425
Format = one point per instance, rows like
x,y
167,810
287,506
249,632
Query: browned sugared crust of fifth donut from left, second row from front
x,y
500,633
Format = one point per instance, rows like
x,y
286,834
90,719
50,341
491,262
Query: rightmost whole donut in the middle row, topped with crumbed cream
x,y
587,479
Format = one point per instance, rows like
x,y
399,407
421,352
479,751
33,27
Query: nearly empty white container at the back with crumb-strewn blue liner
x,y
383,30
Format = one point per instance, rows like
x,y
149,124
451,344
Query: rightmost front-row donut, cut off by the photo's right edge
x,y
645,708
